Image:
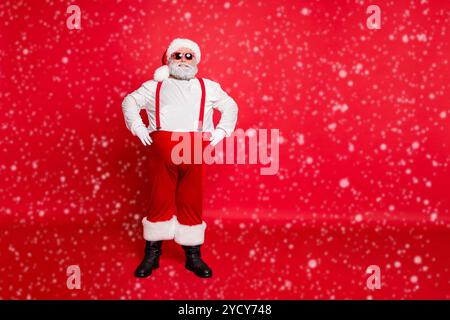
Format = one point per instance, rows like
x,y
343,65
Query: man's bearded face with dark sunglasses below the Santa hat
x,y
183,64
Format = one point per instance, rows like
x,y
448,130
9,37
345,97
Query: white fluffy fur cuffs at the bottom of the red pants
x,y
171,229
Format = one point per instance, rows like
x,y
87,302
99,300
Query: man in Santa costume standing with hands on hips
x,y
177,101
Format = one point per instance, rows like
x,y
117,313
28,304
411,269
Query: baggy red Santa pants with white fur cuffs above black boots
x,y
175,188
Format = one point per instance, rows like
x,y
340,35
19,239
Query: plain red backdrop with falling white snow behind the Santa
x,y
73,178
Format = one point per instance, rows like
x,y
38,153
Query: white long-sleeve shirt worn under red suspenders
x,y
180,106
